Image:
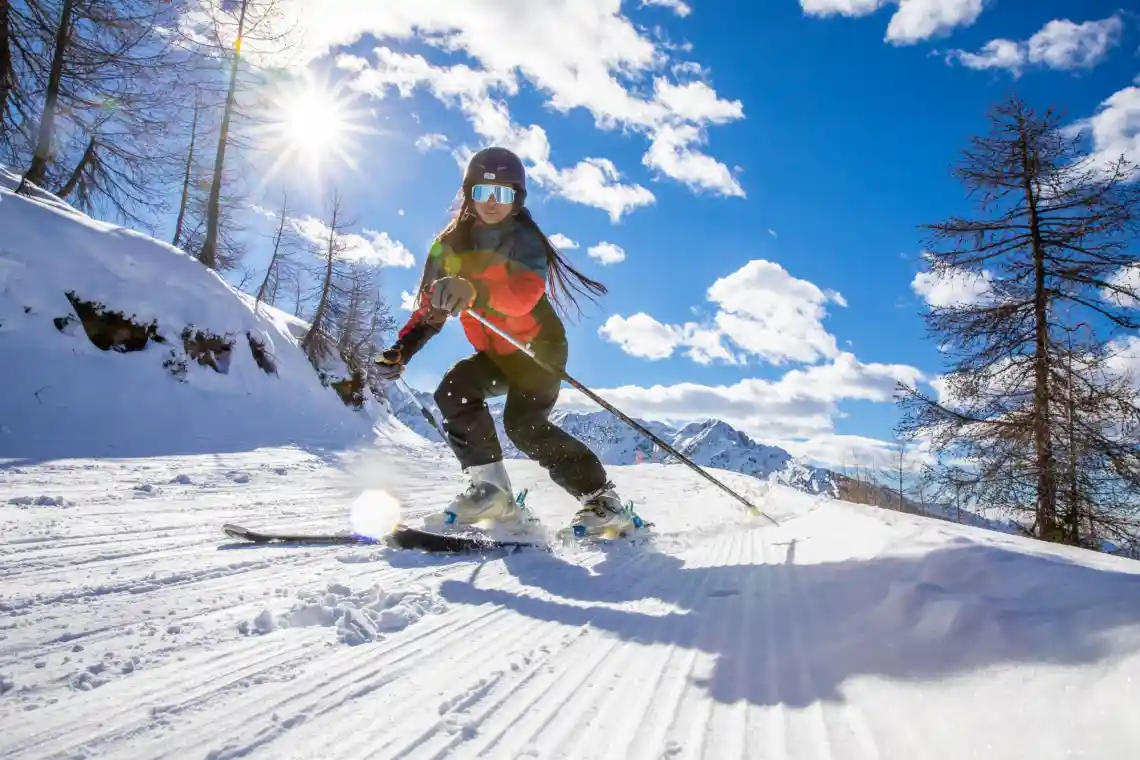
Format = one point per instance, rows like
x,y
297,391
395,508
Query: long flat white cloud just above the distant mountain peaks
x,y
795,412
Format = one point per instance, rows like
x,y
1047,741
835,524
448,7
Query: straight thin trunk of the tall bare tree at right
x,y
1043,428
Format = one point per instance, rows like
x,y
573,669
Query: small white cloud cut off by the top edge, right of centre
x,y
914,22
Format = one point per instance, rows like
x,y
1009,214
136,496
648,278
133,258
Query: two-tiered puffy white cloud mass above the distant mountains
x,y
762,312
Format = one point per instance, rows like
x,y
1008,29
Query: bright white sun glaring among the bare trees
x,y
311,125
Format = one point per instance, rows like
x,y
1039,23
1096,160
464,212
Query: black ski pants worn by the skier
x,y
531,396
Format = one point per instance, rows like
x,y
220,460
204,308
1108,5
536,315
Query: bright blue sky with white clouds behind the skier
x,y
784,242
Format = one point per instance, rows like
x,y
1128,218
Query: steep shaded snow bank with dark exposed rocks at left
x,y
64,397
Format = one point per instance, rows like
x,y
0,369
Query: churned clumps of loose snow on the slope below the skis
x,y
359,617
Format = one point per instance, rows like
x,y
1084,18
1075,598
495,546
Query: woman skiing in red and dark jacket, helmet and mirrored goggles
x,y
494,260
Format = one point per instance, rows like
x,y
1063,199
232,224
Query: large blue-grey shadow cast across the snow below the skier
x,y
794,634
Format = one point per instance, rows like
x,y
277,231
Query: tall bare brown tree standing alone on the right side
x,y
1054,228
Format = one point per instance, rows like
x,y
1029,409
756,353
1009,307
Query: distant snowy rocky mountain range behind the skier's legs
x,y
710,444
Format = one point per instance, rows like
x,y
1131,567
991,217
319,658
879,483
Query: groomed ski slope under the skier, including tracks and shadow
x,y
129,631
